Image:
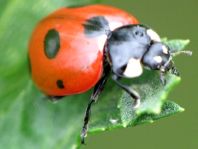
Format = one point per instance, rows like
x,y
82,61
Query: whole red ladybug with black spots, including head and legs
x,y
75,49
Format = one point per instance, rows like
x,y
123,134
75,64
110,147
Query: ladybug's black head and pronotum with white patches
x,y
130,47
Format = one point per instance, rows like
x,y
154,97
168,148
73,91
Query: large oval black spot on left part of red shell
x,y
52,43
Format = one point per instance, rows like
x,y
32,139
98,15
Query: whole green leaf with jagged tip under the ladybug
x,y
29,120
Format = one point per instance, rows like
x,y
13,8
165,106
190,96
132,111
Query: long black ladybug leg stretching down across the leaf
x,y
97,90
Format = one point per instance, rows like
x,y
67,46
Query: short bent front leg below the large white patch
x,y
129,90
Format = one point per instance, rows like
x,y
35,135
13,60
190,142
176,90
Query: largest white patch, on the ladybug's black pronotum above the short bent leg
x,y
133,68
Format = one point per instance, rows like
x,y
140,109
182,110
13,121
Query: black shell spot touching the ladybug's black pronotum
x,y
96,26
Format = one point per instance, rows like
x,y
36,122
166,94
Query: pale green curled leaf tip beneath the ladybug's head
x,y
153,95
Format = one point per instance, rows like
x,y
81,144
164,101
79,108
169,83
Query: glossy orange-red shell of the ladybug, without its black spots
x,y
79,61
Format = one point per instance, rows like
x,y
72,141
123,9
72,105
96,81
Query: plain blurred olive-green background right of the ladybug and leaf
x,y
173,19
